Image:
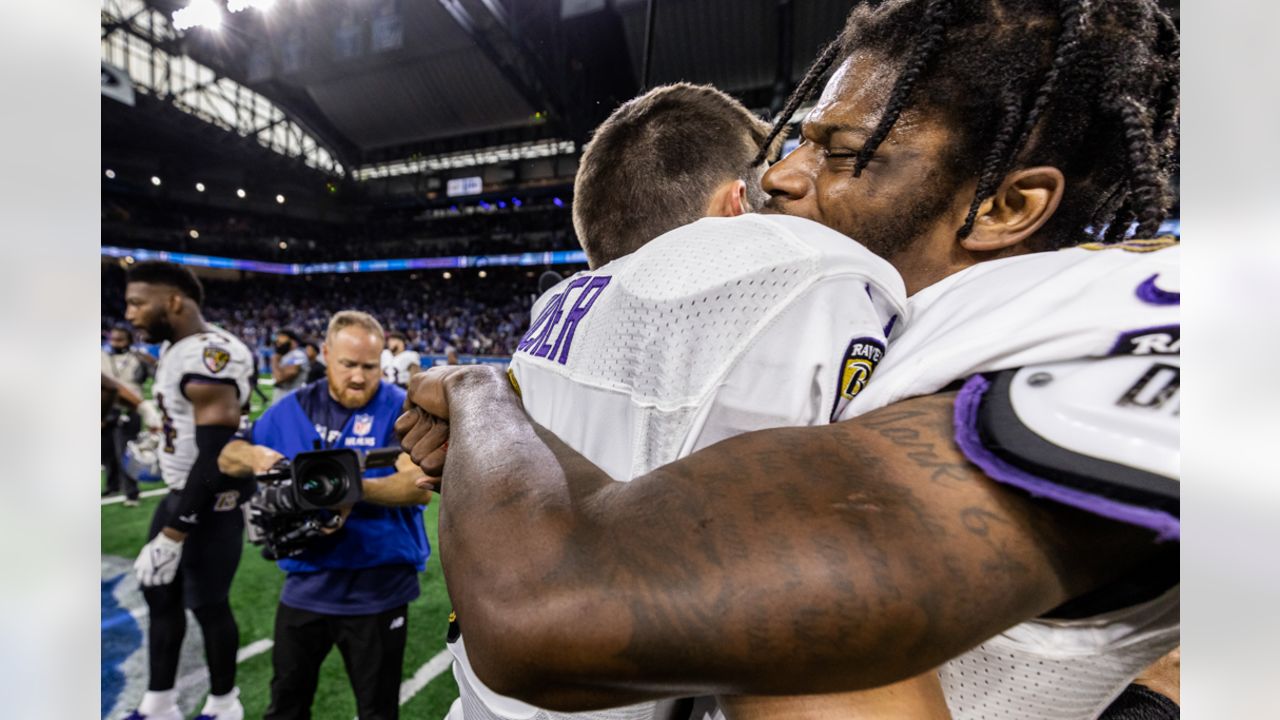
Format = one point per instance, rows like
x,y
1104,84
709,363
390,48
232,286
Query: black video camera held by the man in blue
x,y
299,500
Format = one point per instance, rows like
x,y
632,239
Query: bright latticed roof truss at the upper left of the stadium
x,y
141,42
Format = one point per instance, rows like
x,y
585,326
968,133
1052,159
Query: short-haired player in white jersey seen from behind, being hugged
x,y
767,332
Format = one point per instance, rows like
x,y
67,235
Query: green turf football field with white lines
x,y
254,599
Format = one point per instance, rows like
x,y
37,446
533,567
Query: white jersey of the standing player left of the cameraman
x,y
213,356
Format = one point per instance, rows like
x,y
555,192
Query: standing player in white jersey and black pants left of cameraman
x,y
202,389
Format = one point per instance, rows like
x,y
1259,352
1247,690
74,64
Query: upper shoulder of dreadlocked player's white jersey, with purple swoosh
x,y
1041,308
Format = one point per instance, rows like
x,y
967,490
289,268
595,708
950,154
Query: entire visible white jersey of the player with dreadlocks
x,y
1036,311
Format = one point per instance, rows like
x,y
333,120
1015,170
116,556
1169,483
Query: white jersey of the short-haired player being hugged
x,y
717,329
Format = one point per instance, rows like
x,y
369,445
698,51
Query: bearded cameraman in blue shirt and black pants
x,y
350,589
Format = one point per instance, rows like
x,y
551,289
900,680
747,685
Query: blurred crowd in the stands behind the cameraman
x,y
470,315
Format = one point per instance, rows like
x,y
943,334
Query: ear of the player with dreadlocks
x,y
1026,200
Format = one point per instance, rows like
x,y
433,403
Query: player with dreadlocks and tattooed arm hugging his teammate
x,y
999,499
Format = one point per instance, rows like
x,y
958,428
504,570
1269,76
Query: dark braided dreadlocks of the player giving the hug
x,y
1087,86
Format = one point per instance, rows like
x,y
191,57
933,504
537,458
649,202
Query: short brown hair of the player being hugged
x,y
655,163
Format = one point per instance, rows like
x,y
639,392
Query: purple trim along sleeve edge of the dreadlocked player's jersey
x,y
971,445
